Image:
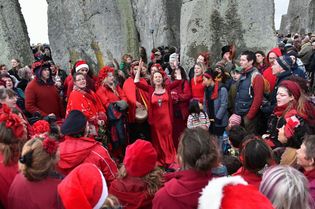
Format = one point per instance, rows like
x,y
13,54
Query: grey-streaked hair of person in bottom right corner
x,y
286,188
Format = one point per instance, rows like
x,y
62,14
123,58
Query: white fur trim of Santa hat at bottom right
x,y
212,194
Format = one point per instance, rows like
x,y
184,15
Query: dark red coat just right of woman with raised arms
x,y
181,96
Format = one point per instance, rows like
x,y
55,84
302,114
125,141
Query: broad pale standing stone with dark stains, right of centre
x,y
207,25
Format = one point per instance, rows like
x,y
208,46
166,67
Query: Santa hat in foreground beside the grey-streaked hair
x,y
232,193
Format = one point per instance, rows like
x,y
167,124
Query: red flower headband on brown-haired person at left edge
x,y
12,121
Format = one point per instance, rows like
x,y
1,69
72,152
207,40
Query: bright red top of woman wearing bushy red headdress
x,y
107,95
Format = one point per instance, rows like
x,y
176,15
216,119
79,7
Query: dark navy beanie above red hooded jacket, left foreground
x,y
75,123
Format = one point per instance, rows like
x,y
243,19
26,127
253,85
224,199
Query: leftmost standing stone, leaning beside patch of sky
x,y
14,40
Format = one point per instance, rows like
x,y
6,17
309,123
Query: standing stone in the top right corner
x,y
300,17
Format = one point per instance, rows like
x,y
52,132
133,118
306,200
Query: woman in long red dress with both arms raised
x,y
160,114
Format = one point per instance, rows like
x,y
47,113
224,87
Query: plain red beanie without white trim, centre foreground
x,y
140,158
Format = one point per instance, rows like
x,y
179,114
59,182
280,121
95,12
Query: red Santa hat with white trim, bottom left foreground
x,y
84,188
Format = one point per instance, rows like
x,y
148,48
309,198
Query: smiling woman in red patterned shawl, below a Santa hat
x,y
87,102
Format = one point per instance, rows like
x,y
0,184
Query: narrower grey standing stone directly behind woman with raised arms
x,y
158,22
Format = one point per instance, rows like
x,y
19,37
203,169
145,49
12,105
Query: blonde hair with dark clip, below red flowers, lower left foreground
x,y
41,163
